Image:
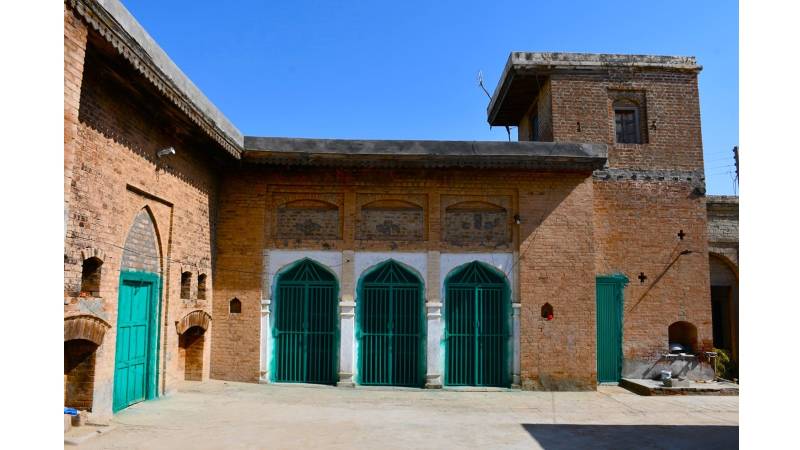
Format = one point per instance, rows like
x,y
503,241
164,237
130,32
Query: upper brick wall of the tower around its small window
x,y
672,101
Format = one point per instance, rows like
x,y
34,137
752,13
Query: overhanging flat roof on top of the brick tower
x,y
525,71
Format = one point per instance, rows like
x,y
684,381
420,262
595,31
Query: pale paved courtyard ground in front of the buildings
x,y
243,416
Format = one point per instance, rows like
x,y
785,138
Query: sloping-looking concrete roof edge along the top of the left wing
x,y
150,59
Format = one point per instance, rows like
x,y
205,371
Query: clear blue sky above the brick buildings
x,y
408,69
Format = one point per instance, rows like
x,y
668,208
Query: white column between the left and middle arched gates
x,y
347,313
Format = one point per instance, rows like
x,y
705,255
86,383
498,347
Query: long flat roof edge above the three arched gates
x,y
425,153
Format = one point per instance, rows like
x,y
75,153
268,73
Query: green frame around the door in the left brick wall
x,y
154,334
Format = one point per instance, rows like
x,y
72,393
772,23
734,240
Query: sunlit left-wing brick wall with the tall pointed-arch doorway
x,y
115,122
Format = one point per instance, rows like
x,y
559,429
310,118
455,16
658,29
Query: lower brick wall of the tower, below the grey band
x,y
636,229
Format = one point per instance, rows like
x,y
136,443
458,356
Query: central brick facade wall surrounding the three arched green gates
x,y
555,238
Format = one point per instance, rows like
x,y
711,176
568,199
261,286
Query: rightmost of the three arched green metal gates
x,y
477,316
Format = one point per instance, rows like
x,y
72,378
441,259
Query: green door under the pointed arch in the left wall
x,y
136,354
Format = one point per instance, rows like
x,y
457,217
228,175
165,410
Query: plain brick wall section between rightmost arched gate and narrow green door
x,y
556,267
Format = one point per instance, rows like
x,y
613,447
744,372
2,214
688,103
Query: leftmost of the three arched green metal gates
x,y
306,328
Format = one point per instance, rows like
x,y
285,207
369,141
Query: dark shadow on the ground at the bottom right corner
x,y
707,437
